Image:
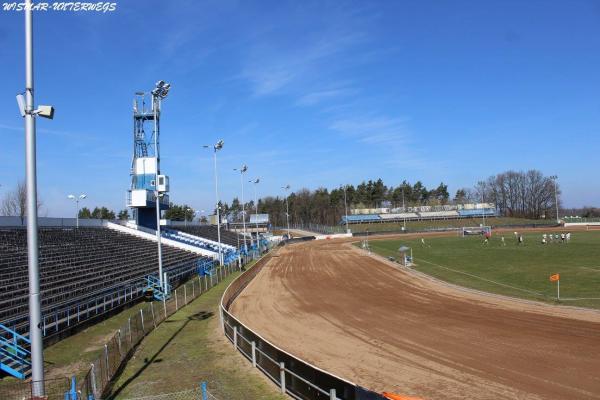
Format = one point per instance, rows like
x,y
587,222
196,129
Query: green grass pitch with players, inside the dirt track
x,y
514,270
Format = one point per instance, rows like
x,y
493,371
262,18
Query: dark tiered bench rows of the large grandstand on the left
x,y
84,272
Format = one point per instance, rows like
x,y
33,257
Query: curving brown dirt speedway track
x,y
388,329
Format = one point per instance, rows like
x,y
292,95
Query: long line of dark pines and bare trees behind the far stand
x,y
527,194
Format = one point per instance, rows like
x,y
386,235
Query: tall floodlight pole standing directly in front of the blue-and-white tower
x,y
158,93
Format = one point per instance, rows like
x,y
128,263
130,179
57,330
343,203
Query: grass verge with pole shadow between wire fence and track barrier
x,y
189,348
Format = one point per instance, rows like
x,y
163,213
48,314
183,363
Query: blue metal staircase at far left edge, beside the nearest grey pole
x,y
15,354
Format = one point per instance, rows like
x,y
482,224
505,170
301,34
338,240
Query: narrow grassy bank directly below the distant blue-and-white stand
x,y
446,223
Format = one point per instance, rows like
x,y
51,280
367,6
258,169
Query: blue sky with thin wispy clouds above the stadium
x,y
309,93
